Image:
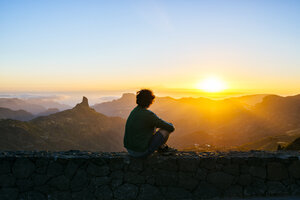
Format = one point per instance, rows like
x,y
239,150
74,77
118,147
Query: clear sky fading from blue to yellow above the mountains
x,y
253,46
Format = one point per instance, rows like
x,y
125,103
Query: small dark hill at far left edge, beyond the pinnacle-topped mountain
x,y
6,113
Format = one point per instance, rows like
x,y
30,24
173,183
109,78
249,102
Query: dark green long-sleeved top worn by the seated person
x,y
140,127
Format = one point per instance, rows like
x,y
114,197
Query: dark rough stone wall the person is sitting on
x,y
186,175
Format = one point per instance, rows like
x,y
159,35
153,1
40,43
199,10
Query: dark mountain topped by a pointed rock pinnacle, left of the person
x,y
80,128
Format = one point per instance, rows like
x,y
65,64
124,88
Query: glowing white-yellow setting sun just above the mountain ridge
x,y
211,84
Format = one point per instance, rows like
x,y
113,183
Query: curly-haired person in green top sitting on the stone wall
x,y
141,138
